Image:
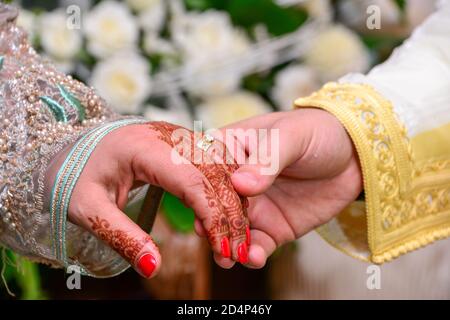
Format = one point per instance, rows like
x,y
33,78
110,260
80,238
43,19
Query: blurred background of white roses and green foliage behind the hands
x,y
218,61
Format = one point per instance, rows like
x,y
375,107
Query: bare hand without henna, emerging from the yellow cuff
x,y
318,175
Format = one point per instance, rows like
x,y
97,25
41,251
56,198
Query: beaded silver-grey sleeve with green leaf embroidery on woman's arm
x,y
42,111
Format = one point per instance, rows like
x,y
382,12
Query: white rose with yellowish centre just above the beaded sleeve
x,y
123,80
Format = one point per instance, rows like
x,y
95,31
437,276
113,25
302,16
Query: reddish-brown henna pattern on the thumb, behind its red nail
x,y
127,246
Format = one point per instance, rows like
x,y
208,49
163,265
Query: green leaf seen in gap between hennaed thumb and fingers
x,y
179,217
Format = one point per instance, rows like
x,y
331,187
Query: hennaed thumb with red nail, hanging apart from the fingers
x,y
108,223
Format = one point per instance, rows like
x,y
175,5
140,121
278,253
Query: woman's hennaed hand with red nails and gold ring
x,y
135,155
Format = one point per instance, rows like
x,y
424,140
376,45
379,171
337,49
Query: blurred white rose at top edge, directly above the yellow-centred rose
x,y
110,27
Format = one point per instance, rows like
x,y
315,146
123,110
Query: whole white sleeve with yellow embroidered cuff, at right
x,y
398,117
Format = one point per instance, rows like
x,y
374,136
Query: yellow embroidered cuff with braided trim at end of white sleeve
x,y
407,204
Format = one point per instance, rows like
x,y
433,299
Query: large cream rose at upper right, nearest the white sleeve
x,y
335,52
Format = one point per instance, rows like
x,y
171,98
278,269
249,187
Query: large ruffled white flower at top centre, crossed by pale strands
x,y
205,41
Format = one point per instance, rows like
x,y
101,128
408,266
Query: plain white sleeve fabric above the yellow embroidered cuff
x,y
416,78
